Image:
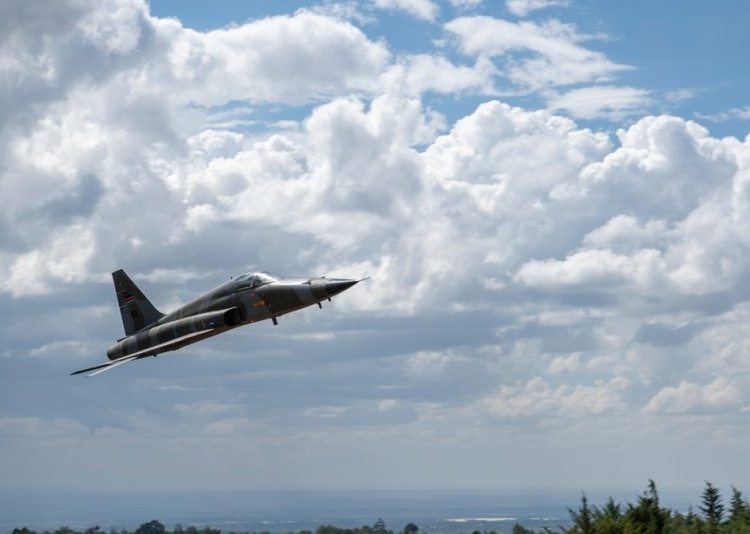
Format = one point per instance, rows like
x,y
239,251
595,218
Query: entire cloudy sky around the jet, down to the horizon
x,y
551,197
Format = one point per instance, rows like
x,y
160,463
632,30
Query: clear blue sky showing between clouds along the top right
x,y
690,57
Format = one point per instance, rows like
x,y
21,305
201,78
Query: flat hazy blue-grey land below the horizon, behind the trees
x,y
449,512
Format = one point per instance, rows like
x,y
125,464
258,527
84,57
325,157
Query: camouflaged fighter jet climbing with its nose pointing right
x,y
246,299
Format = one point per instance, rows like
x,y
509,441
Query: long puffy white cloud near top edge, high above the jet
x,y
290,69
